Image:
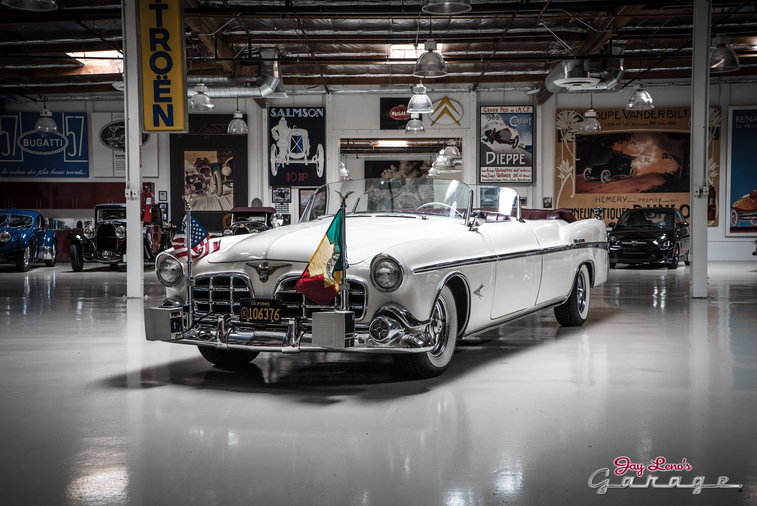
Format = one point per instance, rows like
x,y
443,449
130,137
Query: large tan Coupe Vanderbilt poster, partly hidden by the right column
x,y
638,159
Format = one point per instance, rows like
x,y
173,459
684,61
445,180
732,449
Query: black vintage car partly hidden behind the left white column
x,y
105,240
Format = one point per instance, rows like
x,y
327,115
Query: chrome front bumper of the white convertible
x,y
391,331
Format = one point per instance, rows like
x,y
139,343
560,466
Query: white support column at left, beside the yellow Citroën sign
x,y
134,253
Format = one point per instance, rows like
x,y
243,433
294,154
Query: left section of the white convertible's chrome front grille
x,y
220,293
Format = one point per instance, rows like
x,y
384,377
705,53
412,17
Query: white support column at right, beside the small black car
x,y
700,77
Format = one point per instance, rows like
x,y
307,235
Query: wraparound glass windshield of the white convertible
x,y
449,199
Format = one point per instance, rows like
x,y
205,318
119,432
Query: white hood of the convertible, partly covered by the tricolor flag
x,y
366,236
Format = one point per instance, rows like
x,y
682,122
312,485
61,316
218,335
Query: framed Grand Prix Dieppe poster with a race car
x,y
506,144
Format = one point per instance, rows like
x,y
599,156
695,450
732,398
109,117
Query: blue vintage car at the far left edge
x,y
24,238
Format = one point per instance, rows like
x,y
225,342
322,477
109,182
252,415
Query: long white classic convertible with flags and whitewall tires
x,y
425,268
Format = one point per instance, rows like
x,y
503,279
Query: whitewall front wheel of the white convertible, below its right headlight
x,y
443,330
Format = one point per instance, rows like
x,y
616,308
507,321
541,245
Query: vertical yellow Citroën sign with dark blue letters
x,y
164,93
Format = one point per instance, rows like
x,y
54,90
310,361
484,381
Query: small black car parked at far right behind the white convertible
x,y
650,236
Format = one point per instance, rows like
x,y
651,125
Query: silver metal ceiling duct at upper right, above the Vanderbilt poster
x,y
575,76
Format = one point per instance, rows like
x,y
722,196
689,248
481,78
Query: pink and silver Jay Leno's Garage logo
x,y
633,476
